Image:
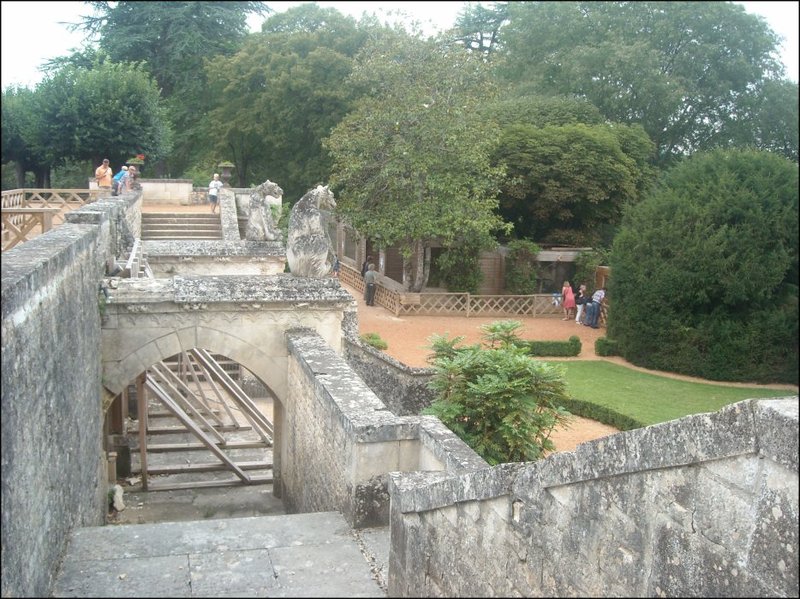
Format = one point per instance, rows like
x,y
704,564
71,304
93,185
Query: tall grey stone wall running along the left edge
x,y
54,476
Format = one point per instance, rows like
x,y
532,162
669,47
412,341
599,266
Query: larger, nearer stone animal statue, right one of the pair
x,y
309,250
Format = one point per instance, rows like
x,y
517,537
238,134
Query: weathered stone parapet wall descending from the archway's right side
x,y
338,441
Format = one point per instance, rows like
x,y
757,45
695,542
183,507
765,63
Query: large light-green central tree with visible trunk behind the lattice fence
x,y
412,162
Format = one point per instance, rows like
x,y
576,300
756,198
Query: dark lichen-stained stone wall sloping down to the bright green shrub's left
x,y
402,388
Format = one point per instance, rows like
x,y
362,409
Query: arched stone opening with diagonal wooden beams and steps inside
x,y
196,419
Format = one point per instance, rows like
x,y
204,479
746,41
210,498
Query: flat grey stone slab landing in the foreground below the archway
x,y
297,555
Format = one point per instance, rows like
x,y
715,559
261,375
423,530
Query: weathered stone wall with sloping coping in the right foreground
x,y
702,506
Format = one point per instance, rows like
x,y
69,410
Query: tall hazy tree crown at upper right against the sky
x,y
638,62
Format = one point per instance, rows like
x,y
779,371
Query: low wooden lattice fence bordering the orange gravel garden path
x,y
455,304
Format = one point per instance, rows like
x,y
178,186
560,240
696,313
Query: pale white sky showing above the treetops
x,y
32,34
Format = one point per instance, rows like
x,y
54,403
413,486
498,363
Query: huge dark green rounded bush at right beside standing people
x,y
705,271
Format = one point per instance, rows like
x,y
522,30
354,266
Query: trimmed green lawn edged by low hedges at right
x,y
647,398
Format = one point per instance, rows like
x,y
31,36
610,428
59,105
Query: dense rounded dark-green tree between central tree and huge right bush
x,y
566,182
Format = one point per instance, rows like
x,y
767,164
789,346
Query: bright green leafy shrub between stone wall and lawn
x,y
498,400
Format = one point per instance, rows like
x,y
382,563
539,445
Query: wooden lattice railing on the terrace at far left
x,y
24,211
